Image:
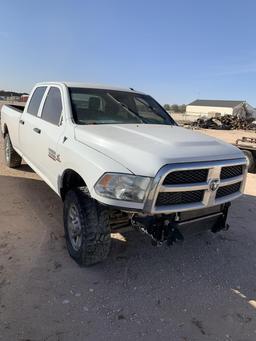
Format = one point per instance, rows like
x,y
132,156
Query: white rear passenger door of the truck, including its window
x,y
29,128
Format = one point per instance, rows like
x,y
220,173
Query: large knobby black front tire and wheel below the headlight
x,y
87,228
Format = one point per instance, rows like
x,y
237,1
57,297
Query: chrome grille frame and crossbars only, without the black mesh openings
x,y
209,187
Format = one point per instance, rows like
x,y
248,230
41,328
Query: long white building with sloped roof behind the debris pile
x,y
201,107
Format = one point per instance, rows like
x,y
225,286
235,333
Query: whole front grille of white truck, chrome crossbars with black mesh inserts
x,y
187,186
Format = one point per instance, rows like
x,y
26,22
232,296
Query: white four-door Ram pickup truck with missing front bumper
x,y
117,158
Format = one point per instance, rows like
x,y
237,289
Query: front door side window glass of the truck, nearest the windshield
x,y
52,107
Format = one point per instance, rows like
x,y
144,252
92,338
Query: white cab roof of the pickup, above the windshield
x,y
89,86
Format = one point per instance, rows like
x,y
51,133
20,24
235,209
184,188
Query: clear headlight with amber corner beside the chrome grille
x,y
123,187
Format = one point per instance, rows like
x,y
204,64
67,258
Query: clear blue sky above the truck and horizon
x,y
177,51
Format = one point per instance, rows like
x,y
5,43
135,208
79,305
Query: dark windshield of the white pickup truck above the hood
x,y
97,106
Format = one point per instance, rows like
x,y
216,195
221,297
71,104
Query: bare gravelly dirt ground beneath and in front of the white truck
x,y
203,289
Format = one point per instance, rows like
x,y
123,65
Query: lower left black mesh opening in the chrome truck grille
x,y
176,198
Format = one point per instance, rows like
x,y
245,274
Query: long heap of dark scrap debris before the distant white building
x,y
227,122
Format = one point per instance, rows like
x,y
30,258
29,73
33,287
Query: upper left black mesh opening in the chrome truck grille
x,y
186,177
